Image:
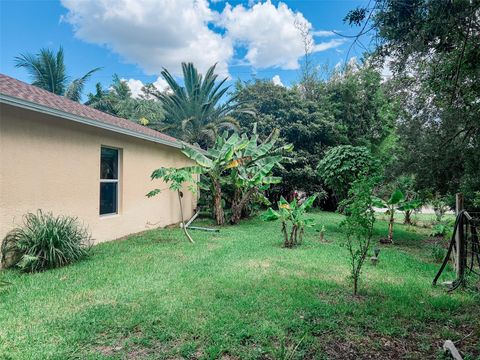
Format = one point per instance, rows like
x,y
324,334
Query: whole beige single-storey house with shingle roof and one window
x,y
61,156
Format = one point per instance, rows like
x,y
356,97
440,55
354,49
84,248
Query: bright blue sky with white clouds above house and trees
x,y
135,39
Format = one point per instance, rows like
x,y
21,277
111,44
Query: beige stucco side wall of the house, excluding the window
x,y
53,164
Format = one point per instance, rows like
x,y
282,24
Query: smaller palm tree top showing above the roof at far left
x,y
48,72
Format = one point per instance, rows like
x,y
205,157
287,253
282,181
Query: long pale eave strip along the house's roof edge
x,y
10,100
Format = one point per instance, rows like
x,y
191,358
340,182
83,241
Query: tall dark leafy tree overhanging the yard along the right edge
x,y
432,48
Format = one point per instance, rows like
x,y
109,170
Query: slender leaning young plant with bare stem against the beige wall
x,y
177,178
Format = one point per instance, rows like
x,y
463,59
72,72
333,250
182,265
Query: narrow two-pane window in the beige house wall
x,y
108,181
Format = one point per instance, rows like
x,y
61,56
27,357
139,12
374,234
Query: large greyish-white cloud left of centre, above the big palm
x,y
152,33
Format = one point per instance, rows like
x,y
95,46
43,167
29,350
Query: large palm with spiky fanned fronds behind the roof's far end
x,y
194,110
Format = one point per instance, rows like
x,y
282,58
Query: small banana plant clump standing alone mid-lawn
x,y
293,214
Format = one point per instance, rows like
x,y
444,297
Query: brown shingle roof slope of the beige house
x,y
23,91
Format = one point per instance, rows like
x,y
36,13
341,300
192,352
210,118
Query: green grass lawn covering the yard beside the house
x,y
237,294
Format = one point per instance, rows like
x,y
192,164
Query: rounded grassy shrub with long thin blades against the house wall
x,y
45,241
